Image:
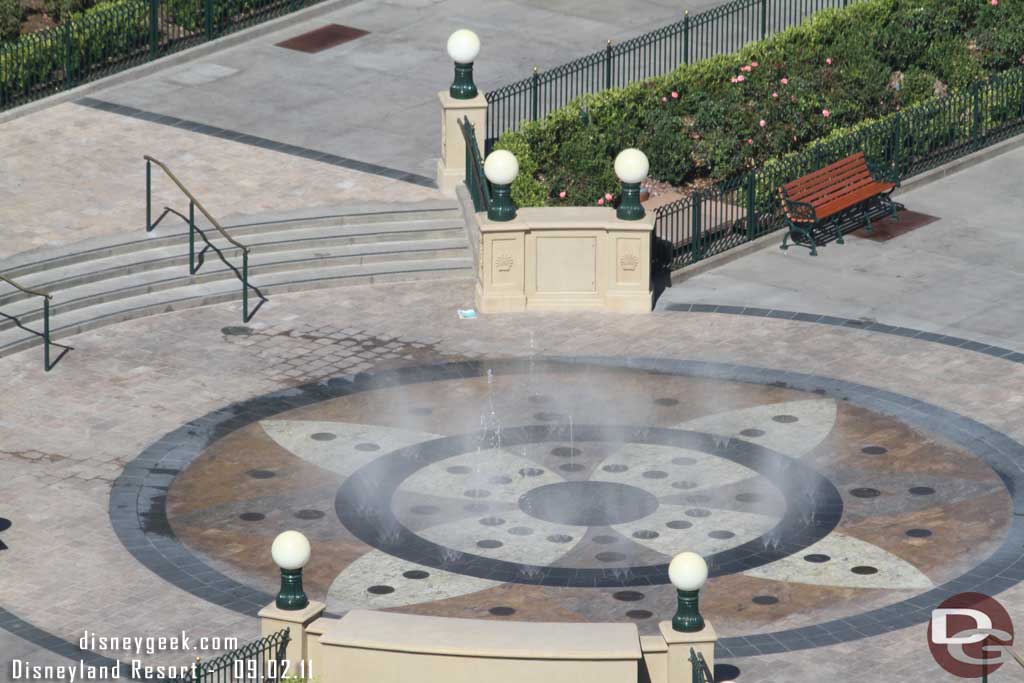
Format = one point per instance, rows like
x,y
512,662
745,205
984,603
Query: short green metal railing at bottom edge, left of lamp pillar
x,y
258,662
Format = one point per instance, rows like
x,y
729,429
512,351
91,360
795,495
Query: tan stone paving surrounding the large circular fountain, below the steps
x,y
65,448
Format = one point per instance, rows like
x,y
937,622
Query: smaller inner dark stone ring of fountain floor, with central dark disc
x,y
814,510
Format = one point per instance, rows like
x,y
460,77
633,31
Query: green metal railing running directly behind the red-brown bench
x,y
744,208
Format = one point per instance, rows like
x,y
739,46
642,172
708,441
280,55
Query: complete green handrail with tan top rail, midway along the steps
x,y
196,261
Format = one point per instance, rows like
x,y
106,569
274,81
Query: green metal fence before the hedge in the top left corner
x,y
117,36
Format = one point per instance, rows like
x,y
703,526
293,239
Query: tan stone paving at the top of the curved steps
x,y
71,173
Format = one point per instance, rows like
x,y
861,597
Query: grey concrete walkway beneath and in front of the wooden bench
x,y
960,276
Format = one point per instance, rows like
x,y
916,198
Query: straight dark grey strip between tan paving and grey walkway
x,y
245,139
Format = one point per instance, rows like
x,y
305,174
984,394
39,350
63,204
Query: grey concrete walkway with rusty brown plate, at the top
x,y
374,99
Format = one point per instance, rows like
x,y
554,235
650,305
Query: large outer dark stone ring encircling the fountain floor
x,y
139,513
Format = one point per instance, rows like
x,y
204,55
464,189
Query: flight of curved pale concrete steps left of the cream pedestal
x,y
113,279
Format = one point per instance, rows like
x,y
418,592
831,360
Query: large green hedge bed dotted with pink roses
x,y
704,120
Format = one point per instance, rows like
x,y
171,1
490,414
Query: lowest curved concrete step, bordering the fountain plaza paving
x,y
222,291
